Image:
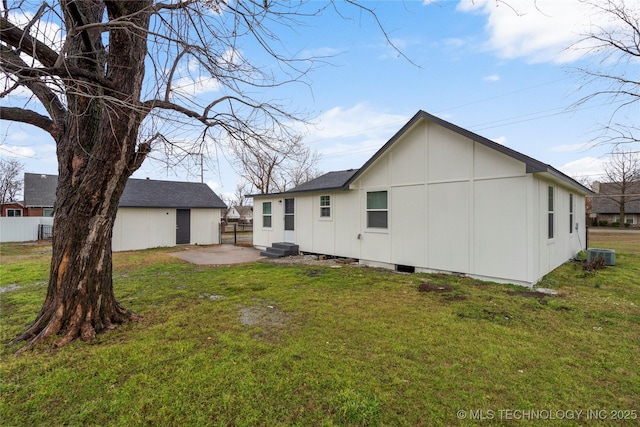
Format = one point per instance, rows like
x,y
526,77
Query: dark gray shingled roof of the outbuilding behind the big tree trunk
x,y
139,193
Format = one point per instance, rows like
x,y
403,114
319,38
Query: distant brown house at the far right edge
x,y
605,204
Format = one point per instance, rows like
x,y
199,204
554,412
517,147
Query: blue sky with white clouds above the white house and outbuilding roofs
x,y
506,72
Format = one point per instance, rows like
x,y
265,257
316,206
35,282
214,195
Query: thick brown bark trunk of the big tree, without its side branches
x,y
97,150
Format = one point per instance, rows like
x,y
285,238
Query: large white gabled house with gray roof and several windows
x,y
435,198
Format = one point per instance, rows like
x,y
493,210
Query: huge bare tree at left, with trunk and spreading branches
x,y
104,78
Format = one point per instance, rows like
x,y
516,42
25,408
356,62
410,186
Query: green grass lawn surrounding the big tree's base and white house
x,y
266,344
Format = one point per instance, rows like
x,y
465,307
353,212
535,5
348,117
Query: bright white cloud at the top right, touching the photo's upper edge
x,y
540,31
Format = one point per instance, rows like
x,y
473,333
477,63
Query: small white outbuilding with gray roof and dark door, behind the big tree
x,y
151,213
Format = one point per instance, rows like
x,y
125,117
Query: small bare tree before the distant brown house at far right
x,y
623,173
